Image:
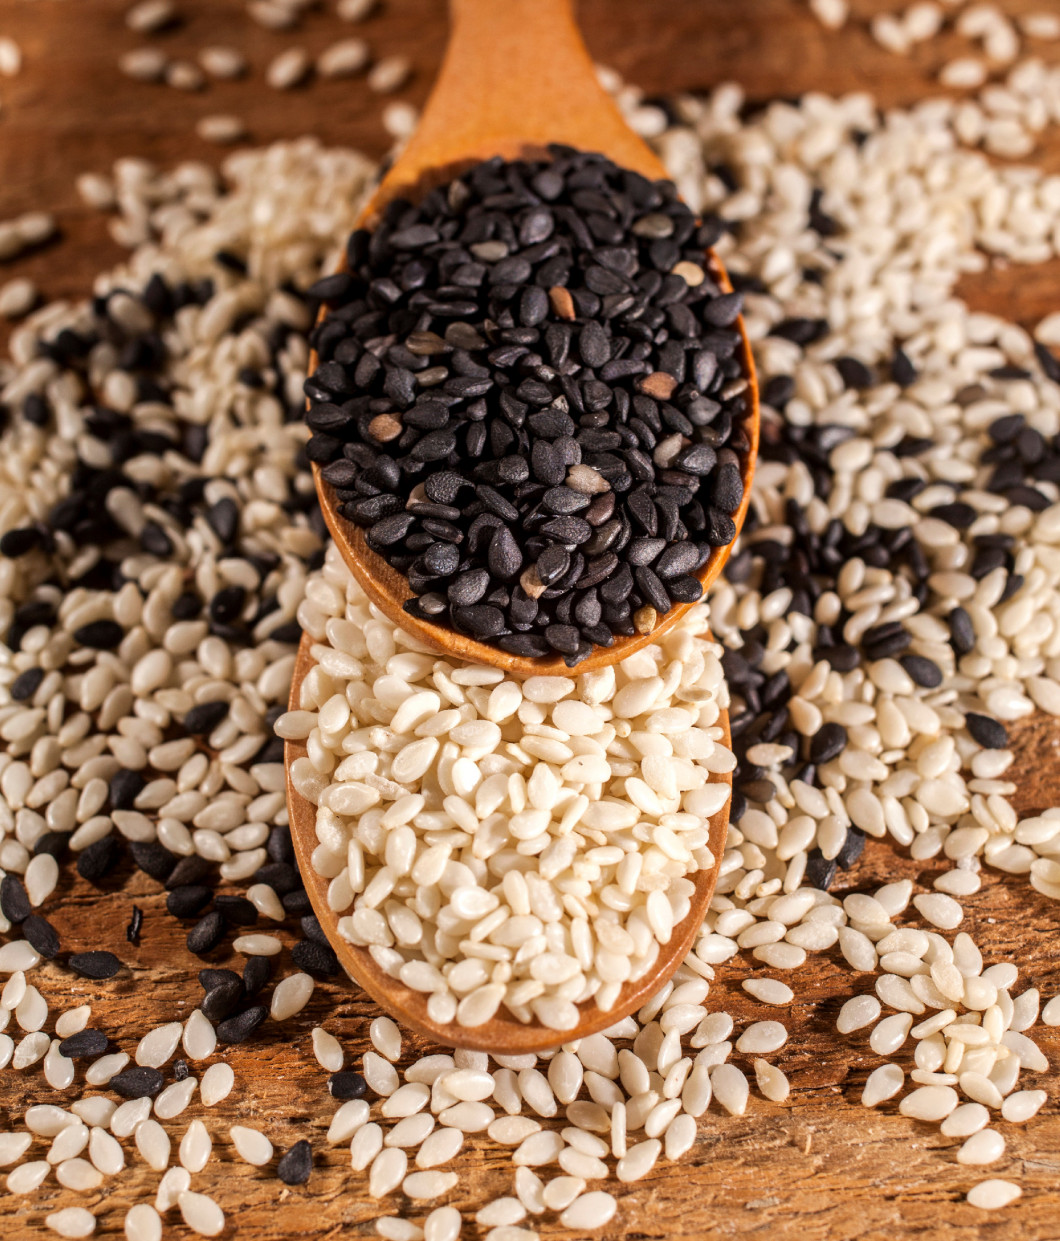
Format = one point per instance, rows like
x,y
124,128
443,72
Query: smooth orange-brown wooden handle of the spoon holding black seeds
x,y
516,78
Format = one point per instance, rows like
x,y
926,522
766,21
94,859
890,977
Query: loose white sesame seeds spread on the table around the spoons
x,y
910,210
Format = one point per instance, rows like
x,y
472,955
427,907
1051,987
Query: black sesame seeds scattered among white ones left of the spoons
x,y
84,521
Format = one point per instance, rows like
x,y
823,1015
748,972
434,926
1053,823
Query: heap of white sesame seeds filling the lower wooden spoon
x,y
501,842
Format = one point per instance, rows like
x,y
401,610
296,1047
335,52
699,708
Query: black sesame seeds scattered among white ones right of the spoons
x,y
810,565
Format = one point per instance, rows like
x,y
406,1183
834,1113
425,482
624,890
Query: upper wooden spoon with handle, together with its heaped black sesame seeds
x,y
533,403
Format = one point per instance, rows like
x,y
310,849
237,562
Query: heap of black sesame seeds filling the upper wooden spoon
x,y
531,393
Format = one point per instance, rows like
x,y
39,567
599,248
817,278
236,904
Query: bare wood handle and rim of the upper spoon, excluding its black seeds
x,y
517,76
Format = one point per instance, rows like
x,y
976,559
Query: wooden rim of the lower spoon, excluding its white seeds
x,y
503,1034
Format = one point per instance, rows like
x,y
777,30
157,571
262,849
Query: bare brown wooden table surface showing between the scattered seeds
x,y
819,1167
